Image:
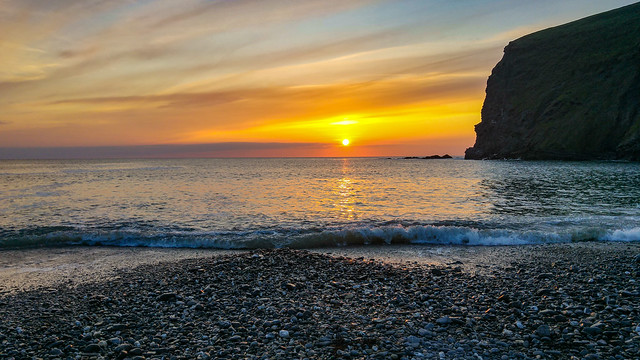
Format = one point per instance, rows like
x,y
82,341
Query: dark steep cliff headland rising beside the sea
x,y
569,92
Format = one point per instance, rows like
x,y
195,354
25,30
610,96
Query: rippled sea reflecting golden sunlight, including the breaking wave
x,y
250,203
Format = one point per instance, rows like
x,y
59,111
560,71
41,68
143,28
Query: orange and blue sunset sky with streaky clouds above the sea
x,y
199,78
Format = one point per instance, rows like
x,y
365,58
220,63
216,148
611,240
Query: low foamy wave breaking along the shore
x,y
304,238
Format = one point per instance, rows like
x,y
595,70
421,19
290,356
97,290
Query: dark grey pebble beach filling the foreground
x,y
549,302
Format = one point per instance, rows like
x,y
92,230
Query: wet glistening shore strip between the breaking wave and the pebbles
x,y
33,268
